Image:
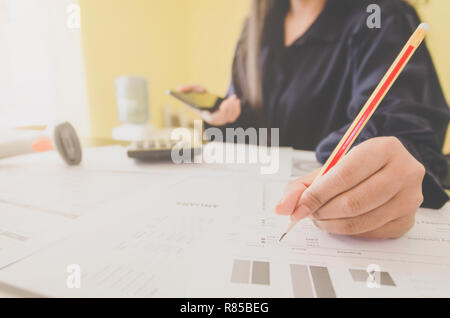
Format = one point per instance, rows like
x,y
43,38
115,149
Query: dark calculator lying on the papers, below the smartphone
x,y
160,149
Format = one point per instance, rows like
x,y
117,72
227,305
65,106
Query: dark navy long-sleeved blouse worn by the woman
x,y
313,89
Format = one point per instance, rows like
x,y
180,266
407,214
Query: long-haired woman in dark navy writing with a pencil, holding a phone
x,y
307,67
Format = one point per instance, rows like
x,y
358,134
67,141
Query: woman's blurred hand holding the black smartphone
x,y
228,112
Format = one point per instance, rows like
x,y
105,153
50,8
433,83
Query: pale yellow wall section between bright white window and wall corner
x,y
142,37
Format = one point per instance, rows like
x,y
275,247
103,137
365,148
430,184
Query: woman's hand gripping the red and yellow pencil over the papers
x,y
373,192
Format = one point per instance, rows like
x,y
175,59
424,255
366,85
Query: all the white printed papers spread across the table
x,y
117,229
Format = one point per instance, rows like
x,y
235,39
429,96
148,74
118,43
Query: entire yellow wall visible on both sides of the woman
x,y
185,41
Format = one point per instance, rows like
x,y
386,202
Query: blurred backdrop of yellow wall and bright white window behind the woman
x,y
59,58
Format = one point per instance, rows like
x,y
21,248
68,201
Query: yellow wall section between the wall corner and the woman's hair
x,y
213,30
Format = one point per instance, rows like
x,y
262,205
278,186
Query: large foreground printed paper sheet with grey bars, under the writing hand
x,y
214,236
